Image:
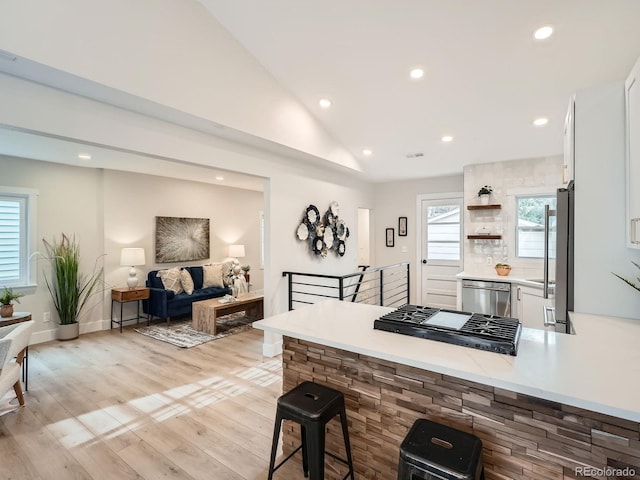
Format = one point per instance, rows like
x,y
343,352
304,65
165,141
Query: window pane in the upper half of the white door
x,y
443,233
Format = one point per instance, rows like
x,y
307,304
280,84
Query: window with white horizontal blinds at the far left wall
x,y
17,219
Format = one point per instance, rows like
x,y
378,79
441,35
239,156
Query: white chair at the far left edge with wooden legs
x,y
14,340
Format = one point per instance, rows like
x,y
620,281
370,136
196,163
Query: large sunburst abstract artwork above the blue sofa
x,y
180,239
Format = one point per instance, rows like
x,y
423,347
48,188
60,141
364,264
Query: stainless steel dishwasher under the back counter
x,y
491,298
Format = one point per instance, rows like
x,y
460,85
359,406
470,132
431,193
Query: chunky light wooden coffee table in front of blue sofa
x,y
206,312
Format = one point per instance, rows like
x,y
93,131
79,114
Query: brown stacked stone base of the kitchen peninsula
x,y
523,437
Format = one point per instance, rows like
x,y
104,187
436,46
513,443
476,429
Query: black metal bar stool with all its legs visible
x,y
312,406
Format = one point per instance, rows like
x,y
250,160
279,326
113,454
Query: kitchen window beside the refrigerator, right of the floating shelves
x,y
530,225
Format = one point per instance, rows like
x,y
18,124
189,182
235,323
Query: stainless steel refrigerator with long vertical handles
x,y
559,234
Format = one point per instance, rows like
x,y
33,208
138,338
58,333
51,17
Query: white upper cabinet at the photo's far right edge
x,y
632,113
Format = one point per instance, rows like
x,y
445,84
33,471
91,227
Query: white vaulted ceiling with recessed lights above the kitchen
x,y
486,79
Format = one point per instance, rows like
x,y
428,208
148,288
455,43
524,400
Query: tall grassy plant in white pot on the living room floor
x,y
69,289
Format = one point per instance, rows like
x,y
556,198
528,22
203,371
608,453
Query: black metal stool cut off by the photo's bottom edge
x,y
434,451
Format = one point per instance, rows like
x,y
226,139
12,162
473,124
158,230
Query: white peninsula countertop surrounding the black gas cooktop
x,y
597,369
